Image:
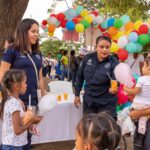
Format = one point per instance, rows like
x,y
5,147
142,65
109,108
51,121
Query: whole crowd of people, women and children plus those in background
x,y
22,72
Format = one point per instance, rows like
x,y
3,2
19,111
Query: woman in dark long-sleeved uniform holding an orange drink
x,y
97,69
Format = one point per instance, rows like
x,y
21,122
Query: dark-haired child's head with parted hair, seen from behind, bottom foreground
x,y
97,132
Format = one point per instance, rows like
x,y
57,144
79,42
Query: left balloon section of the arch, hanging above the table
x,y
77,19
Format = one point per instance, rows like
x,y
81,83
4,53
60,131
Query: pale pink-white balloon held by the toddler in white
x,y
123,74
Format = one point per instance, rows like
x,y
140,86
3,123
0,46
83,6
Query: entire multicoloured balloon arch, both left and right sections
x,y
127,36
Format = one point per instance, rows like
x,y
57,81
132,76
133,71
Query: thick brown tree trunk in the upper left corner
x,y
11,13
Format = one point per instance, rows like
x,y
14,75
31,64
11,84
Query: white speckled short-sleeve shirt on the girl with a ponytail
x,y
8,135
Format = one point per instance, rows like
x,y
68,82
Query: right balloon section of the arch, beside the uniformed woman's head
x,y
128,37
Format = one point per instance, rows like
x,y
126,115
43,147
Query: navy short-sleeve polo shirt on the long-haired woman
x,y
20,61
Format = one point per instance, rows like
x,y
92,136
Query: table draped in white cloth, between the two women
x,y
59,124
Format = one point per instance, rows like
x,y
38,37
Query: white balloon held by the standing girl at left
x,y
47,103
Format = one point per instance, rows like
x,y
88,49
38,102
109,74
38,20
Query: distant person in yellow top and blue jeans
x,y
64,66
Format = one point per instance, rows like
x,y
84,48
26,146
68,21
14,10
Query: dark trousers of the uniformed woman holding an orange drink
x,y
97,108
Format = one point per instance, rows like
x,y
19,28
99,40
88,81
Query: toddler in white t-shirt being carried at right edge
x,y
142,94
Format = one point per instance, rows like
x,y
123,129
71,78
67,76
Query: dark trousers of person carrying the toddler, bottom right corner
x,y
142,142
